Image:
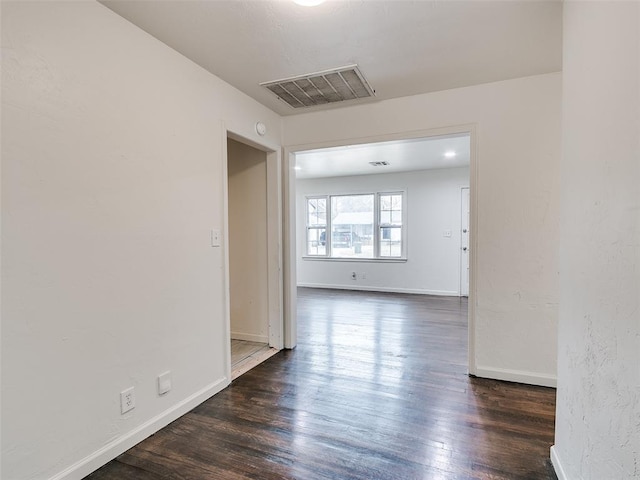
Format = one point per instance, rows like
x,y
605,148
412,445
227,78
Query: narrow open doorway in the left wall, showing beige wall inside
x,y
253,261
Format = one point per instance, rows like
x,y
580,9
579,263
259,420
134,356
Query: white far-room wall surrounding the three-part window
x,y
433,200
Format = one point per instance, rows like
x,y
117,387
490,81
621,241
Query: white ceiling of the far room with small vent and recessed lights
x,y
403,156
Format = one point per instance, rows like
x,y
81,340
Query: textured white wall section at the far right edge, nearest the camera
x,y
598,404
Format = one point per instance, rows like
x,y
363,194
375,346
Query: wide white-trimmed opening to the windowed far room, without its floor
x,y
423,248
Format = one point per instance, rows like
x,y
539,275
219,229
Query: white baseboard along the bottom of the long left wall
x,y
92,462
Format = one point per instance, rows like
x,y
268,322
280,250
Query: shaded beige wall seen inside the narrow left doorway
x,y
249,303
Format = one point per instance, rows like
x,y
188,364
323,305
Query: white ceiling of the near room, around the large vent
x,y
402,47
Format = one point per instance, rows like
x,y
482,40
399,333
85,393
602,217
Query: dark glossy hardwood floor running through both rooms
x,y
376,389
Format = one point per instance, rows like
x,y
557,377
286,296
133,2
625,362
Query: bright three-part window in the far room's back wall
x,y
368,226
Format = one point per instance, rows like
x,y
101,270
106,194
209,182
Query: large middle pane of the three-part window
x,y
352,226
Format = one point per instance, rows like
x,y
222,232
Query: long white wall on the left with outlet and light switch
x,y
112,161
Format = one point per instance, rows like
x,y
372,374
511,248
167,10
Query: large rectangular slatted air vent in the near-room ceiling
x,y
329,86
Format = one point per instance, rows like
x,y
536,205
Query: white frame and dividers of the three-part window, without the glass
x,y
377,227
